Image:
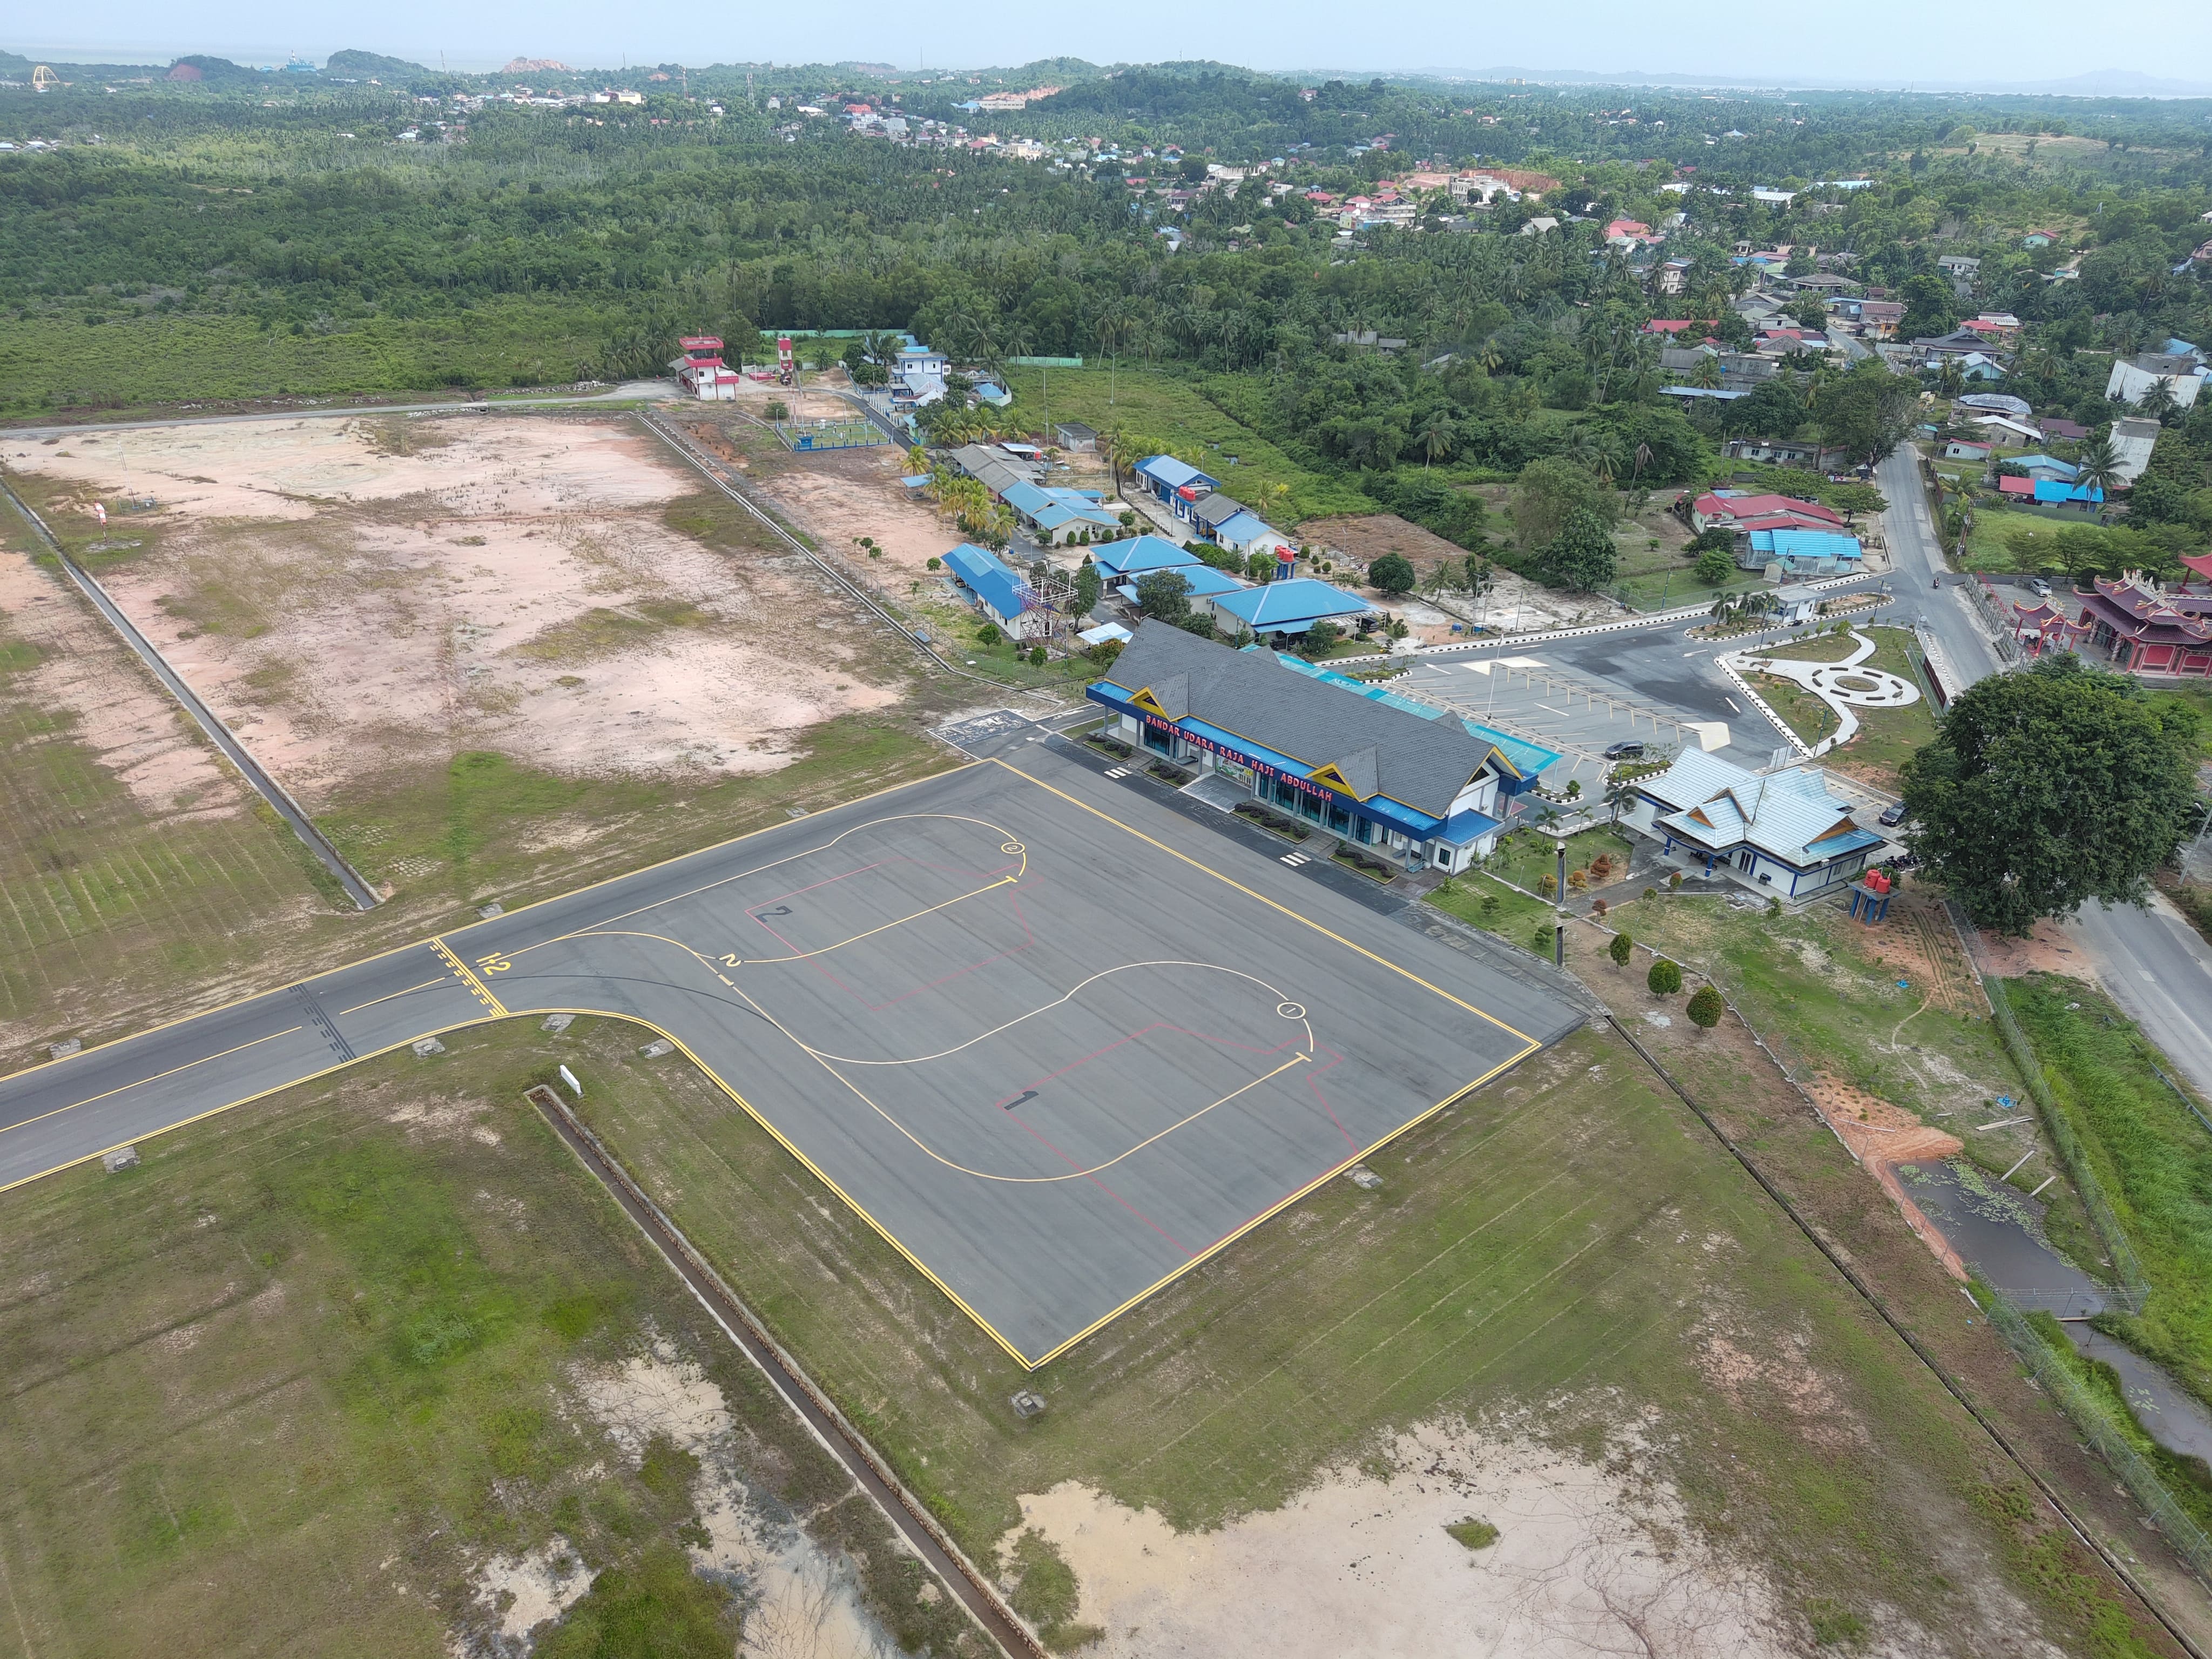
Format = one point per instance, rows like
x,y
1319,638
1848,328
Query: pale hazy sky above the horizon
x,y
1886,43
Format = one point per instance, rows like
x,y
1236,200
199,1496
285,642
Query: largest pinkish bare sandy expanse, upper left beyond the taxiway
x,y
362,592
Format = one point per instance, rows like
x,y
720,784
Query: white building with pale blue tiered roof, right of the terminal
x,y
1775,833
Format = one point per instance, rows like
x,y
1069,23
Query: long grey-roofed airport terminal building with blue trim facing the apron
x,y
1355,760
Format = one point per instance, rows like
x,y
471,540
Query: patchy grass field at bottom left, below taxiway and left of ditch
x,y
317,1370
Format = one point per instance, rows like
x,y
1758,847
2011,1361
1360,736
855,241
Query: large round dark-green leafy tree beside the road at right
x,y
2049,789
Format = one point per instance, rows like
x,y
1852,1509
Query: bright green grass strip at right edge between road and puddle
x,y
2156,1160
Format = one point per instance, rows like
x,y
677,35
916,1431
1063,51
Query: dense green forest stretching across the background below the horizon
x,y
355,238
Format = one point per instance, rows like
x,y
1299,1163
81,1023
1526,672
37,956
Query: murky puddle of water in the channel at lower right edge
x,y
2001,1235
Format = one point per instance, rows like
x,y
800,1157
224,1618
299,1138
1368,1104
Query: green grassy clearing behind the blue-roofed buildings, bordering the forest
x,y
1171,415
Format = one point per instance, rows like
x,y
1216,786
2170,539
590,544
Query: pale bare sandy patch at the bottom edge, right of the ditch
x,y
1585,1565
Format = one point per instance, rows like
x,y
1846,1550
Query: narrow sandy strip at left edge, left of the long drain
x,y
121,716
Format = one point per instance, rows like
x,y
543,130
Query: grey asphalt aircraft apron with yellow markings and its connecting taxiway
x,y
1045,1054
